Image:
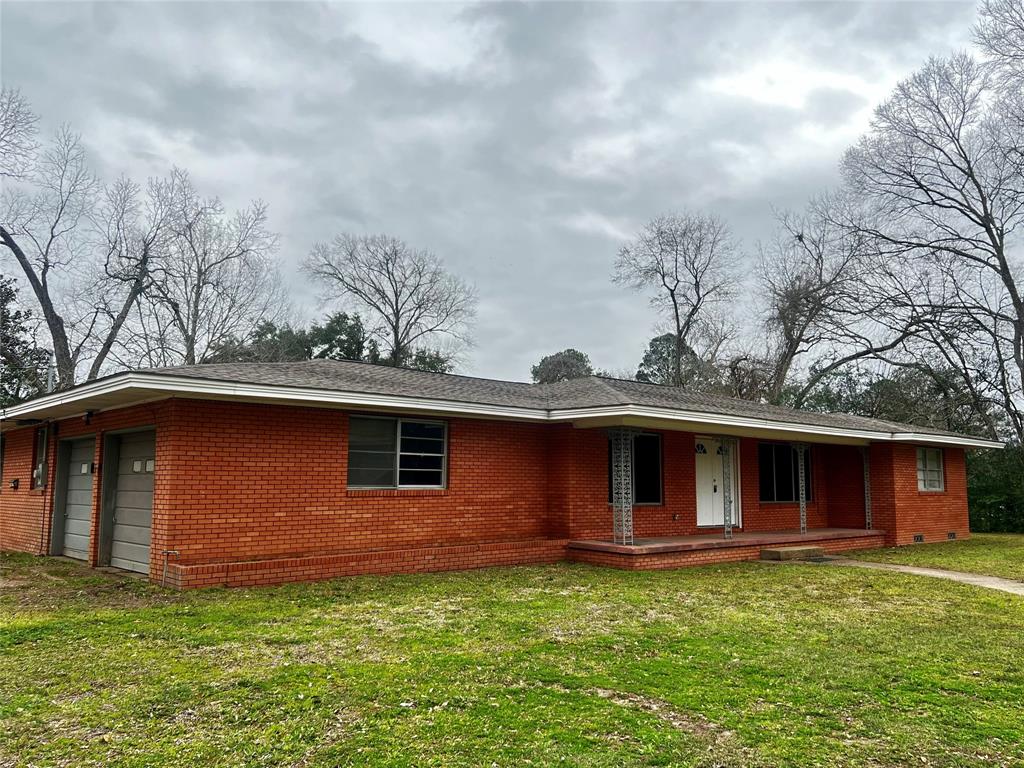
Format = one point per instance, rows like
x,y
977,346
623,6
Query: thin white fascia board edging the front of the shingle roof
x,y
212,389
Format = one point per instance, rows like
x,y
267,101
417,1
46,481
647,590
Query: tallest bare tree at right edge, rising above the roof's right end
x,y
943,170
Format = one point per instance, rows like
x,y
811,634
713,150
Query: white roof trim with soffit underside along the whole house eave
x,y
139,388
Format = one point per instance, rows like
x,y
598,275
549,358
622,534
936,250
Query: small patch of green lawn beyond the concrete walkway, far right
x,y
992,554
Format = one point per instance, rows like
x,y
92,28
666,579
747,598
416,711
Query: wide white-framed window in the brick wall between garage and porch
x,y
396,453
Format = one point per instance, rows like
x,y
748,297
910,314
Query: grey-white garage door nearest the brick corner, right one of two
x,y
134,503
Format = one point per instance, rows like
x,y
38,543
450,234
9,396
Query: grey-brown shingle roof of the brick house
x,y
593,392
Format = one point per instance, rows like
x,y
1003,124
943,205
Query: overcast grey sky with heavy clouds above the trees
x,y
523,144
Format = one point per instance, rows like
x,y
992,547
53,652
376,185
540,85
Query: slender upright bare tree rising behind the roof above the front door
x,y
688,264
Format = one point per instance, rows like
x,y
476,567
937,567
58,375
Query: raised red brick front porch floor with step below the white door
x,y
672,552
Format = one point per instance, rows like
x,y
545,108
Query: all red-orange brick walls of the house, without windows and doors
x,y
242,483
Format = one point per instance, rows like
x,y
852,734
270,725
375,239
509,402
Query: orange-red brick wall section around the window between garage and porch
x,y
279,489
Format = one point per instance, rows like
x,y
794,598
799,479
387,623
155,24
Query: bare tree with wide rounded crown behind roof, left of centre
x,y
412,302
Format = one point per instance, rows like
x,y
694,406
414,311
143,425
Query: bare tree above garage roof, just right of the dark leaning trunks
x,y
216,282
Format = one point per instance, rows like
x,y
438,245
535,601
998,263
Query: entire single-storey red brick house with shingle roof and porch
x,y
261,474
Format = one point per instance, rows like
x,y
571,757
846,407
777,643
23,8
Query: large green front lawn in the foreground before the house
x,y
745,665
